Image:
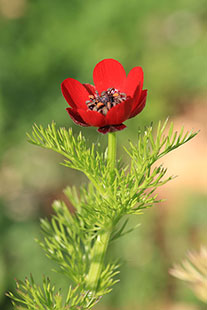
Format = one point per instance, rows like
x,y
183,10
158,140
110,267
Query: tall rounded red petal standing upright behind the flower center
x,y
109,73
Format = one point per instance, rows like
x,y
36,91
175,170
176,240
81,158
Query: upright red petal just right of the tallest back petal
x,y
134,78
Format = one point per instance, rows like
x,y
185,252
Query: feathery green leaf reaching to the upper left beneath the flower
x,y
78,155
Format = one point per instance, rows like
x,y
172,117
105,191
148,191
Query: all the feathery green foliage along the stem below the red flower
x,y
78,241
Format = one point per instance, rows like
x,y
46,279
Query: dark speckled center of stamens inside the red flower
x,y
107,100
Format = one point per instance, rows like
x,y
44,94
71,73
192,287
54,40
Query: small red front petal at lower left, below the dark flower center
x,y
92,118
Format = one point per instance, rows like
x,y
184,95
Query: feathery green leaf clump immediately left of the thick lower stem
x,y
67,242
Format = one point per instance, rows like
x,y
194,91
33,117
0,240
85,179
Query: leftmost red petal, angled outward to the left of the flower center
x,y
75,93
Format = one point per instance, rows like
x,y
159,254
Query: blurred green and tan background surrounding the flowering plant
x,y
44,42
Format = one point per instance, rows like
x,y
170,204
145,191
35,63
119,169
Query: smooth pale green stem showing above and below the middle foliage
x,y
101,244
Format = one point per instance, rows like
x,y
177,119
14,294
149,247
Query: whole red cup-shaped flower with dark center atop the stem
x,y
114,98
